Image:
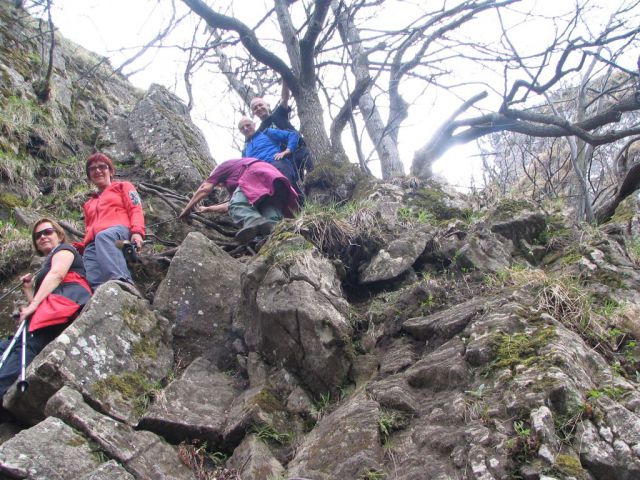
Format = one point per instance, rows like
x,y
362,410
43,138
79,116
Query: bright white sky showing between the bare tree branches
x,y
107,26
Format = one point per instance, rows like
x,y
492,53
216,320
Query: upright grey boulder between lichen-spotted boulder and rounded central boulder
x,y
199,295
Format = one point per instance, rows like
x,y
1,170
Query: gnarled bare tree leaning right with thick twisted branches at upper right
x,y
569,53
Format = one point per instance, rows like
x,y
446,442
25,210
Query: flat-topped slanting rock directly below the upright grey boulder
x,y
195,405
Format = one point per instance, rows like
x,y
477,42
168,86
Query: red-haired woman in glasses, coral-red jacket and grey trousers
x,y
114,212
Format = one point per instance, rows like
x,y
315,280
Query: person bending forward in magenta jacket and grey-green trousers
x,y
260,196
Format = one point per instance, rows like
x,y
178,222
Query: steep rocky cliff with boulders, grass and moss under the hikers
x,y
402,335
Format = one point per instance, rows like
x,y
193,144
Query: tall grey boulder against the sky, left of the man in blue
x,y
174,150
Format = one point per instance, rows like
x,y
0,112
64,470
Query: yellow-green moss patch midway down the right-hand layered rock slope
x,y
520,348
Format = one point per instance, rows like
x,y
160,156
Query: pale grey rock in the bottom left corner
x,y
50,450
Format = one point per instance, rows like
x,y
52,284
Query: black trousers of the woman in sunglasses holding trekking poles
x,y
36,341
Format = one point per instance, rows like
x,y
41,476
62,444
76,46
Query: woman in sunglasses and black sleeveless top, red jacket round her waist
x,y
56,294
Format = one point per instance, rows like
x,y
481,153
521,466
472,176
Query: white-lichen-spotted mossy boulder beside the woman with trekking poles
x,y
115,353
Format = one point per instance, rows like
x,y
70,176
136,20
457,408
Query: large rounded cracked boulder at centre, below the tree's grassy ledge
x,y
294,313
